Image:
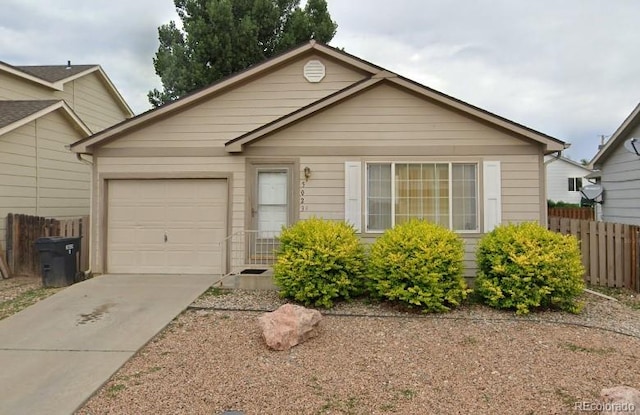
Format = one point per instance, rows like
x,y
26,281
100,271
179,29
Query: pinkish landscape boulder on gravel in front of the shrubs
x,y
288,326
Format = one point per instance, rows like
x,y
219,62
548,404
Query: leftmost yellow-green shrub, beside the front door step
x,y
319,261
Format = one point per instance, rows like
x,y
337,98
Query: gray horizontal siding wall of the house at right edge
x,y
621,183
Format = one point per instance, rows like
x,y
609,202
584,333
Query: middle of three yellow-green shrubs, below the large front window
x,y
420,264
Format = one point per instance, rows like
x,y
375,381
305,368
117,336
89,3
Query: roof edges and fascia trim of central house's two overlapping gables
x,y
376,76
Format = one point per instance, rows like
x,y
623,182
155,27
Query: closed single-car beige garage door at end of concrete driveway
x,y
166,226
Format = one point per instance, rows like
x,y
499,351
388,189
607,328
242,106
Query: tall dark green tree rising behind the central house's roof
x,y
221,37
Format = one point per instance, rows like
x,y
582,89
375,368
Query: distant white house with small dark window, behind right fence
x,y
565,177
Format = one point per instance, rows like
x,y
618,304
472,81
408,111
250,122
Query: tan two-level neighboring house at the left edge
x,y
43,110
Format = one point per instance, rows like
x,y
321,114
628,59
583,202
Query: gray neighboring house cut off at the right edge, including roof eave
x,y
620,173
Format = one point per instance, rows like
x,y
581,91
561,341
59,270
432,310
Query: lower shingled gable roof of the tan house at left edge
x,y
14,114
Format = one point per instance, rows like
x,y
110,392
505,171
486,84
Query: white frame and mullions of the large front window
x,y
393,189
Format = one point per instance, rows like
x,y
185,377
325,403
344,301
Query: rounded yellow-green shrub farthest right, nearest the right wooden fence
x,y
527,266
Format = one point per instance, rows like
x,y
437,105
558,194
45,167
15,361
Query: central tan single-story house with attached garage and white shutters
x,y
197,185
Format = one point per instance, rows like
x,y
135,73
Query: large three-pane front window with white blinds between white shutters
x,y
443,193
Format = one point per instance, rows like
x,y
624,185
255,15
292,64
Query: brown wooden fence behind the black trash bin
x,y
22,232
